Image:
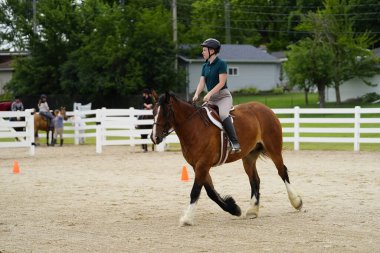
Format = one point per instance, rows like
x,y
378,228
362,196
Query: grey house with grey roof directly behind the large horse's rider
x,y
248,67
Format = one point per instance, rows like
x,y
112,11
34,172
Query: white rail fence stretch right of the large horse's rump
x,y
353,127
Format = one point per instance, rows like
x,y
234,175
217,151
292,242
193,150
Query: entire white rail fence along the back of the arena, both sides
x,y
118,127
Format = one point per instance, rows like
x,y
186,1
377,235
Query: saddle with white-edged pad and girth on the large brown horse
x,y
213,116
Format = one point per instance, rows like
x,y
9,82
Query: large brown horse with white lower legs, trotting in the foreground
x,y
259,133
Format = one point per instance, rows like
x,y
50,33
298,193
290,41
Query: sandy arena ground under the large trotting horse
x,y
71,199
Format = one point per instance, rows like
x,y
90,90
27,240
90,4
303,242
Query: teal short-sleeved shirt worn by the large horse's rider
x,y
211,72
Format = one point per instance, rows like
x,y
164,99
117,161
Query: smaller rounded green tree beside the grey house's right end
x,y
310,63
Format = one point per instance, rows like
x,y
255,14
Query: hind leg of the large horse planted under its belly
x,y
249,163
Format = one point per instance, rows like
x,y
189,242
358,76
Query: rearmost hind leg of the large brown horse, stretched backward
x,y
294,197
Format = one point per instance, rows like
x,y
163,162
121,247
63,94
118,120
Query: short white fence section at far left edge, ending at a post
x,y
10,138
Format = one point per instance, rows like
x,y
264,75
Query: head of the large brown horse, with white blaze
x,y
163,116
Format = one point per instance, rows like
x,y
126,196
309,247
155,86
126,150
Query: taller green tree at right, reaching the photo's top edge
x,y
334,26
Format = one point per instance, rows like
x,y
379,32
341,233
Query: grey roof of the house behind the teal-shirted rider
x,y
240,53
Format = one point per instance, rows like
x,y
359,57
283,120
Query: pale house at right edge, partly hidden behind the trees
x,y
355,88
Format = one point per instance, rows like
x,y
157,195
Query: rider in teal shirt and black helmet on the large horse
x,y
214,76
